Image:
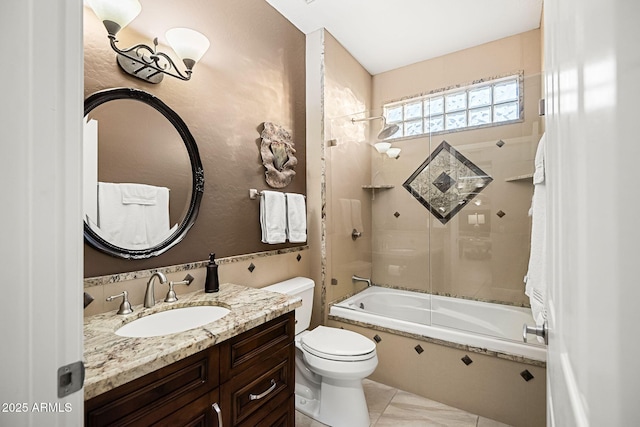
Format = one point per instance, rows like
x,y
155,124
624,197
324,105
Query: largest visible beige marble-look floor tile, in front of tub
x,y
408,410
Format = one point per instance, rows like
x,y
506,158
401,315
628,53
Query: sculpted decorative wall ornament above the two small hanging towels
x,y
277,154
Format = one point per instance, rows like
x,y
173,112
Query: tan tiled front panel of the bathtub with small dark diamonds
x,y
489,386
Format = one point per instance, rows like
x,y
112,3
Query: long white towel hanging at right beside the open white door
x,y
536,285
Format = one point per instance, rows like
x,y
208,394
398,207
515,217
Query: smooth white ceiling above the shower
x,y
386,34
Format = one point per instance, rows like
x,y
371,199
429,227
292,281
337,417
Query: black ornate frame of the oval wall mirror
x,y
197,173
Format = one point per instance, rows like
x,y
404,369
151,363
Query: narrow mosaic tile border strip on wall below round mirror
x,y
123,277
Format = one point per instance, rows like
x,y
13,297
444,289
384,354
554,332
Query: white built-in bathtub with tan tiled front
x,y
494,327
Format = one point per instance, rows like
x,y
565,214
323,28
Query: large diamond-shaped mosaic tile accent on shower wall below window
x,y
446,182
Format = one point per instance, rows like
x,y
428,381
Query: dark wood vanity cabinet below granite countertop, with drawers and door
x,y
249,379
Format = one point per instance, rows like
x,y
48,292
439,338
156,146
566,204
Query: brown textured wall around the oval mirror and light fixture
x,y
253,72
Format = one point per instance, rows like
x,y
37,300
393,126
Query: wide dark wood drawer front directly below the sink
x,y
154,396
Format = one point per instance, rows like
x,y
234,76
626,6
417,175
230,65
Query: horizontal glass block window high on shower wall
x,y
491,102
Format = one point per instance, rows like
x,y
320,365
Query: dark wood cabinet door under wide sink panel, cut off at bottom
x,y
203,412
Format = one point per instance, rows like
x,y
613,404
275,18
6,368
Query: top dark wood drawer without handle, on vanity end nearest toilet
x,y
245,350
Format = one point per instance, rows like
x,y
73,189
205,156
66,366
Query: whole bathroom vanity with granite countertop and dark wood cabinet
x,y
236,371
